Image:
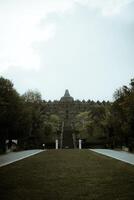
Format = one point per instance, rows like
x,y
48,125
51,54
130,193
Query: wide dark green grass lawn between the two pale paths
x,y
67,175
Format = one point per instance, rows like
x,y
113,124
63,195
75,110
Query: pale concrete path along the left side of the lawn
x,y
11,157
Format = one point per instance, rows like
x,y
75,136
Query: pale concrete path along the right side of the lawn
x,y
119,155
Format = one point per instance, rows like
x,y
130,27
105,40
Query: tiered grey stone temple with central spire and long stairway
x,y
67,108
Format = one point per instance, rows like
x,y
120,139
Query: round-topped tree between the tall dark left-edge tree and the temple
x,y
34,122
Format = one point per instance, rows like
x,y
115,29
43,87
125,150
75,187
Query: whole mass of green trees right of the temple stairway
x,y
113,122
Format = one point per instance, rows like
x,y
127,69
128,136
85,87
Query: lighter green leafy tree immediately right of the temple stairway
x,y
91,124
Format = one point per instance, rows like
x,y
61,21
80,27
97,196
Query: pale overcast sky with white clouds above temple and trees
x,y
86,46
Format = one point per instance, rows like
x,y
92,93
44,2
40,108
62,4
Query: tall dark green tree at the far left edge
x,y
10,109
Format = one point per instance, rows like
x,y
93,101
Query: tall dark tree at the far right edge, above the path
x,y
123,115
